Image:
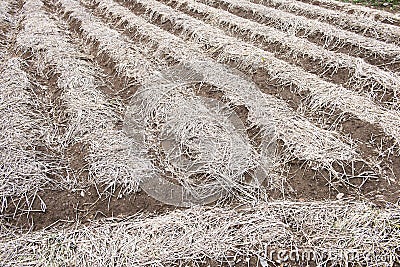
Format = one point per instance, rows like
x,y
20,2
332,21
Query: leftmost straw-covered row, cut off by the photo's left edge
x,y
24,169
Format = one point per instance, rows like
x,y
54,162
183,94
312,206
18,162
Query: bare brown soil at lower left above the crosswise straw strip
x,y
82,206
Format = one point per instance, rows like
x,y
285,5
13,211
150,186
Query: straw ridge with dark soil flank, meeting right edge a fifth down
x,y
333,38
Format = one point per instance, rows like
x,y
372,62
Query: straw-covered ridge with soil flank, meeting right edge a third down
x,y
361,75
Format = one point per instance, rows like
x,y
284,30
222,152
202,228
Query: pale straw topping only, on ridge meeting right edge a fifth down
x,y
333,36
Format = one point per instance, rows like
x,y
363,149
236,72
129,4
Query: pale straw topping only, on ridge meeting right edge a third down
x,y
363,74
